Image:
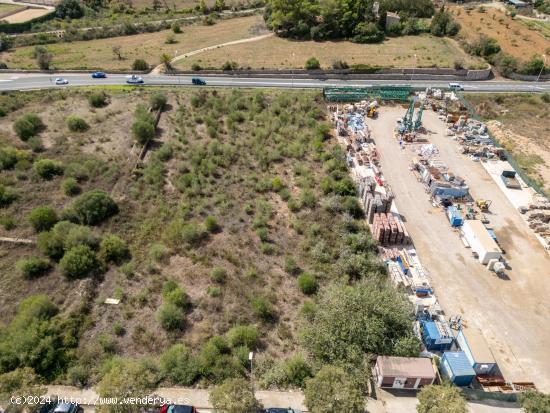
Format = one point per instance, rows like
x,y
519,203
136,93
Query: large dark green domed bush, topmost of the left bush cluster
x,y
93,207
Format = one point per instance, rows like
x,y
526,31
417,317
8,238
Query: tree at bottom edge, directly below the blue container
x,y
444,398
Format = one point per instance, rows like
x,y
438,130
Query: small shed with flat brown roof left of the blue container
x,y
403,372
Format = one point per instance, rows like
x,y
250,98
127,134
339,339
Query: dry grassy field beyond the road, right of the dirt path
x,y
279,53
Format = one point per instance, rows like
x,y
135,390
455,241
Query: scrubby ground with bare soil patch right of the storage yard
x,y
525,126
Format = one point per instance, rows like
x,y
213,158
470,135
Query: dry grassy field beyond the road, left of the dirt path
x,y
149,46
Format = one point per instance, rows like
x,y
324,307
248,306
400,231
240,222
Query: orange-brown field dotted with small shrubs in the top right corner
x,y
513,36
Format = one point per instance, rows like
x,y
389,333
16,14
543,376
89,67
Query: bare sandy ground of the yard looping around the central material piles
x,y
513,310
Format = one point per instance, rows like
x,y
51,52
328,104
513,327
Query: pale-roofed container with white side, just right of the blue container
x,y
472,342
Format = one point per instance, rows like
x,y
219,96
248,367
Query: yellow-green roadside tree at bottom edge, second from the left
x,y
125,378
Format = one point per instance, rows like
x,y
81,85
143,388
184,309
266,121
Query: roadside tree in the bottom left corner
x,y
22,382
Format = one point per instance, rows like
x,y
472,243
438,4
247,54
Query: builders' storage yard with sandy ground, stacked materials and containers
x,y
458,229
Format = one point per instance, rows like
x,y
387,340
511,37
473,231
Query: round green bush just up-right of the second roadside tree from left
x,y
179,365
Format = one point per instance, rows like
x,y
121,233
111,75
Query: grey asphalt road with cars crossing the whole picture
x,y
19,81
